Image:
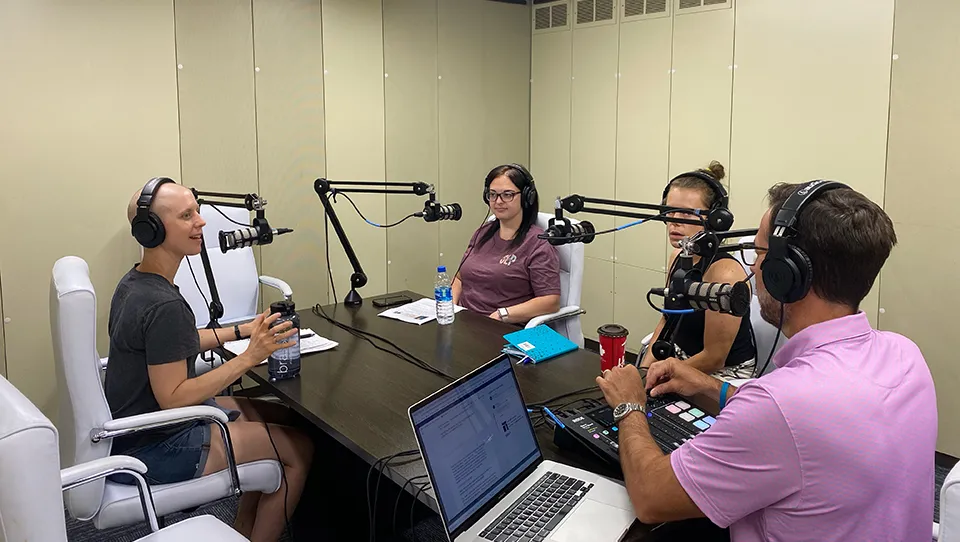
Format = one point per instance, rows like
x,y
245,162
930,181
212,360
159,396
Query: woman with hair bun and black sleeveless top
x,y
712,342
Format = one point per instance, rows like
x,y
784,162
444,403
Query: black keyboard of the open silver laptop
x,y
538,511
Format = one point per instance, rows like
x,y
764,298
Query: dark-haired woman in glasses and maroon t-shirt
x,y
506,271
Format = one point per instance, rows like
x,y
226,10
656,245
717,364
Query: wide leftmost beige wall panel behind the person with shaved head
x,y
60,148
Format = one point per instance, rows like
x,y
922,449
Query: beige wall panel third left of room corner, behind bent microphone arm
x,y
353,83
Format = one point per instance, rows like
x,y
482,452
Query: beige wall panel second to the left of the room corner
x,y
412,153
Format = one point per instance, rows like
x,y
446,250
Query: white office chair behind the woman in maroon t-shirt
x,y
565,321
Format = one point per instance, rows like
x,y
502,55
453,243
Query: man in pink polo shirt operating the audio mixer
x,y
838,443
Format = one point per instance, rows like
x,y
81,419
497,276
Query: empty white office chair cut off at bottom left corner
x,y
31,494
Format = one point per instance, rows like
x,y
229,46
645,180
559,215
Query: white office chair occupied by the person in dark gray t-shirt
x,y
88,425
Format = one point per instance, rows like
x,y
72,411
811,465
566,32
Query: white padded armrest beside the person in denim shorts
x,y
173,416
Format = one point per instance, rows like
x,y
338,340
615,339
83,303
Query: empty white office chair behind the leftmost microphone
x,y
235,273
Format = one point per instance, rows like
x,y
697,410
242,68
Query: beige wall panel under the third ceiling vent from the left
x,y
643,128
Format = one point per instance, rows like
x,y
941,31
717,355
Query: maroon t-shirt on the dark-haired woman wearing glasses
x,y
496,274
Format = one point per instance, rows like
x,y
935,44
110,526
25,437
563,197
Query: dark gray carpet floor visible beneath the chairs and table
x,y
429,530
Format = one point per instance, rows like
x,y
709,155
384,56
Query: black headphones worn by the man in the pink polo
x,y
787,271
